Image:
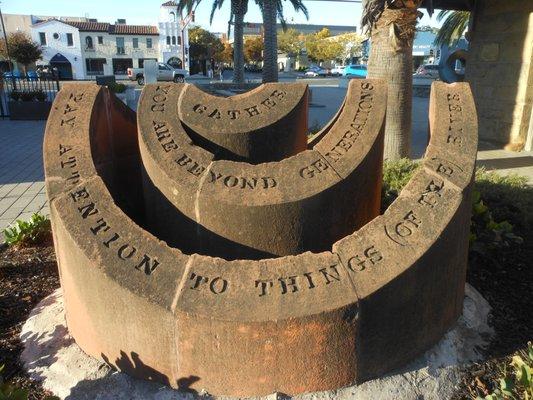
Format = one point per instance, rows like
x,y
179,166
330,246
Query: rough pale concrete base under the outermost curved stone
x,y
50,355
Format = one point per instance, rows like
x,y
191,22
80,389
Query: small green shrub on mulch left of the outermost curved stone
x,y
24,233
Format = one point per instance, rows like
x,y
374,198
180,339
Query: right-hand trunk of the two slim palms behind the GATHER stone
x,y
270,60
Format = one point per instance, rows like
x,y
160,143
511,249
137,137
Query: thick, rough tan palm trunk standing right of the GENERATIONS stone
x,y
392,25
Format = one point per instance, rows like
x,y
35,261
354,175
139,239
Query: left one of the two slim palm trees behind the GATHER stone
x,y
238,9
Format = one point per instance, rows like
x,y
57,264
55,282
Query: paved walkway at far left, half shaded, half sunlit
x,y
22,191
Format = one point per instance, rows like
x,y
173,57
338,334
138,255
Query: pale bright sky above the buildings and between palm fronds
x,y
147,11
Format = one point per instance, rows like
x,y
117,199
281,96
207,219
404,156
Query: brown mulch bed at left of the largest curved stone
x,y
27,275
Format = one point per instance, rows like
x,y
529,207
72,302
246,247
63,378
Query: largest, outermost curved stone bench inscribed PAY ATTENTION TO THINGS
x,y
294,324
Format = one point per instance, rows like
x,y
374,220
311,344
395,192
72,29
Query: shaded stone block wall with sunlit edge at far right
x,y
500,70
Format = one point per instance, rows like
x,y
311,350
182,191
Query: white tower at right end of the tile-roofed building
x,y
173,38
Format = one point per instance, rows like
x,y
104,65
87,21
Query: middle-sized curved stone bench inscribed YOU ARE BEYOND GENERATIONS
x,y
238,210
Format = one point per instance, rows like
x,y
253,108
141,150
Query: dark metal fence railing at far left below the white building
x,y
15,89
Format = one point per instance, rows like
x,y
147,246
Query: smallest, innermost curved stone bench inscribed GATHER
x,y
268,123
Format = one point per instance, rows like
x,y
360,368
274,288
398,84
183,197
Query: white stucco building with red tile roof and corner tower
x,y
83,48
